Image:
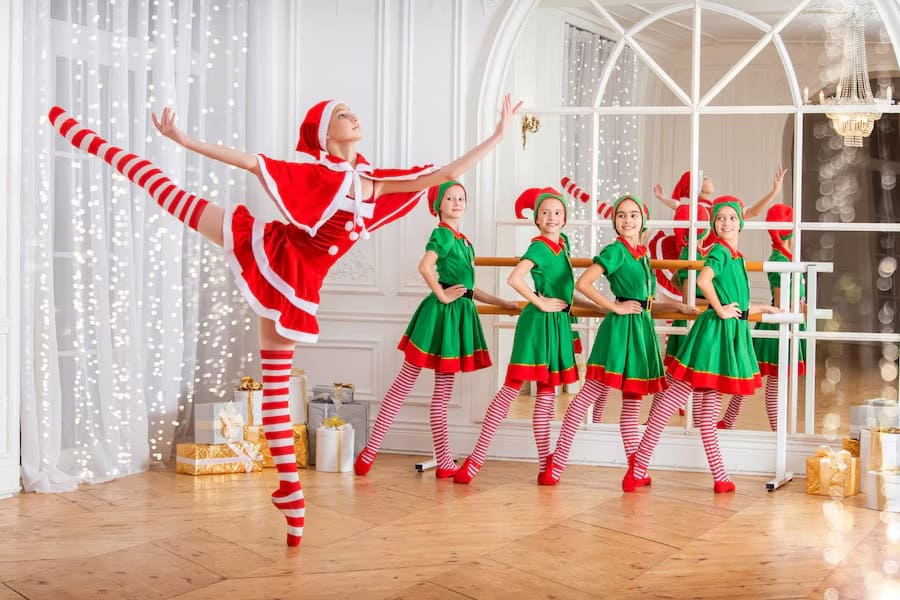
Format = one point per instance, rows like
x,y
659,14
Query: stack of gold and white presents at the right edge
x,y
869,461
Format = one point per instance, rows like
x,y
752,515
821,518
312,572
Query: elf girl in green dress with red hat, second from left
x,y
543,343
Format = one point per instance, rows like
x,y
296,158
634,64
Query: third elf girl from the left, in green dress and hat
x,y
625,355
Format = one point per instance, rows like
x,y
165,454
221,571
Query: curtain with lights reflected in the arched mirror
x,y
586,54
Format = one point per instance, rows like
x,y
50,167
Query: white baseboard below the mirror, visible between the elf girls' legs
x,y
744,452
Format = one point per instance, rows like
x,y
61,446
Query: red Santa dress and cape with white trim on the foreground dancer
x,y
279,267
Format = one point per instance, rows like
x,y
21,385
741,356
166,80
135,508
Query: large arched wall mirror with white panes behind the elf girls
x,y
619,118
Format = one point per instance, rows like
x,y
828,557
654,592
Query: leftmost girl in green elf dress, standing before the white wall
x,y
445,332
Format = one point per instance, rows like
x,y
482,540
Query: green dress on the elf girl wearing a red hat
x,y
543,345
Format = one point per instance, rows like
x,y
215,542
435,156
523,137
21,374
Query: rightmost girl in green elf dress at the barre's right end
x,y
717,355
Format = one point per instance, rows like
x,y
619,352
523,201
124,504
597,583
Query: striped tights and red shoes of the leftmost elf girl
x,y
390,406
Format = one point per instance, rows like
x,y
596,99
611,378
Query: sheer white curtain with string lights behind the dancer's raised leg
x,y
128,316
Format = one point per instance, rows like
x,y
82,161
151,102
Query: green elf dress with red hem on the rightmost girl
x,y
718,353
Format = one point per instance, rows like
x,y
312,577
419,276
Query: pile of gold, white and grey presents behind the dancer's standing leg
x,y
229,437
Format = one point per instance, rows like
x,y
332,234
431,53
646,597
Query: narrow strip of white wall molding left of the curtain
x,y
11,23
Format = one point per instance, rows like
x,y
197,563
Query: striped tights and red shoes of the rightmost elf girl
x,y
704,413
